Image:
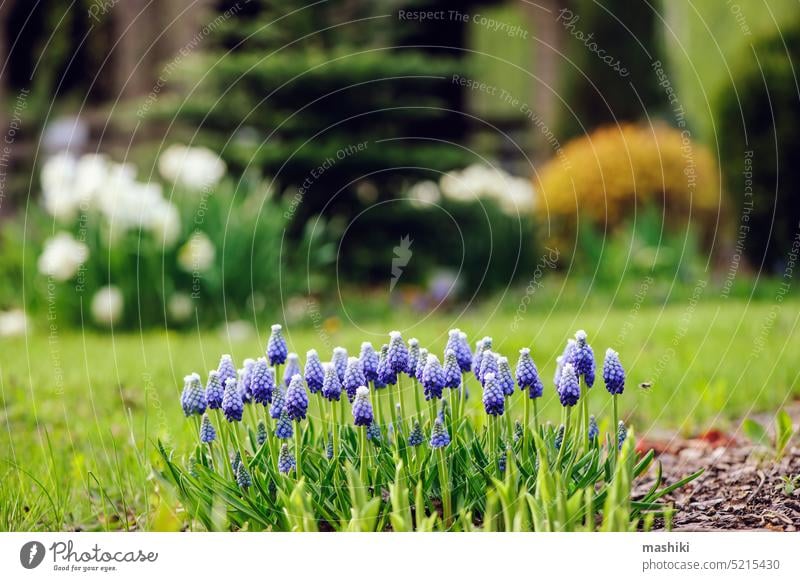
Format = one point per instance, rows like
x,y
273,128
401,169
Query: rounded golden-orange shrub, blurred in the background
x,y
604,176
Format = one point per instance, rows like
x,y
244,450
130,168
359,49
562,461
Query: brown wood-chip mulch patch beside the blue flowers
x,y
741,488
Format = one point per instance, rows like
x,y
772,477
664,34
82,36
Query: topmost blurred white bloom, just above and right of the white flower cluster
x,y
195,168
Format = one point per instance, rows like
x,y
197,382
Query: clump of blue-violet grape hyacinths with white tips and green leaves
x,y
261,450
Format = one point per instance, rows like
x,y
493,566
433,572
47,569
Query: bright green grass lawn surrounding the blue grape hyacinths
x,y
80,412
